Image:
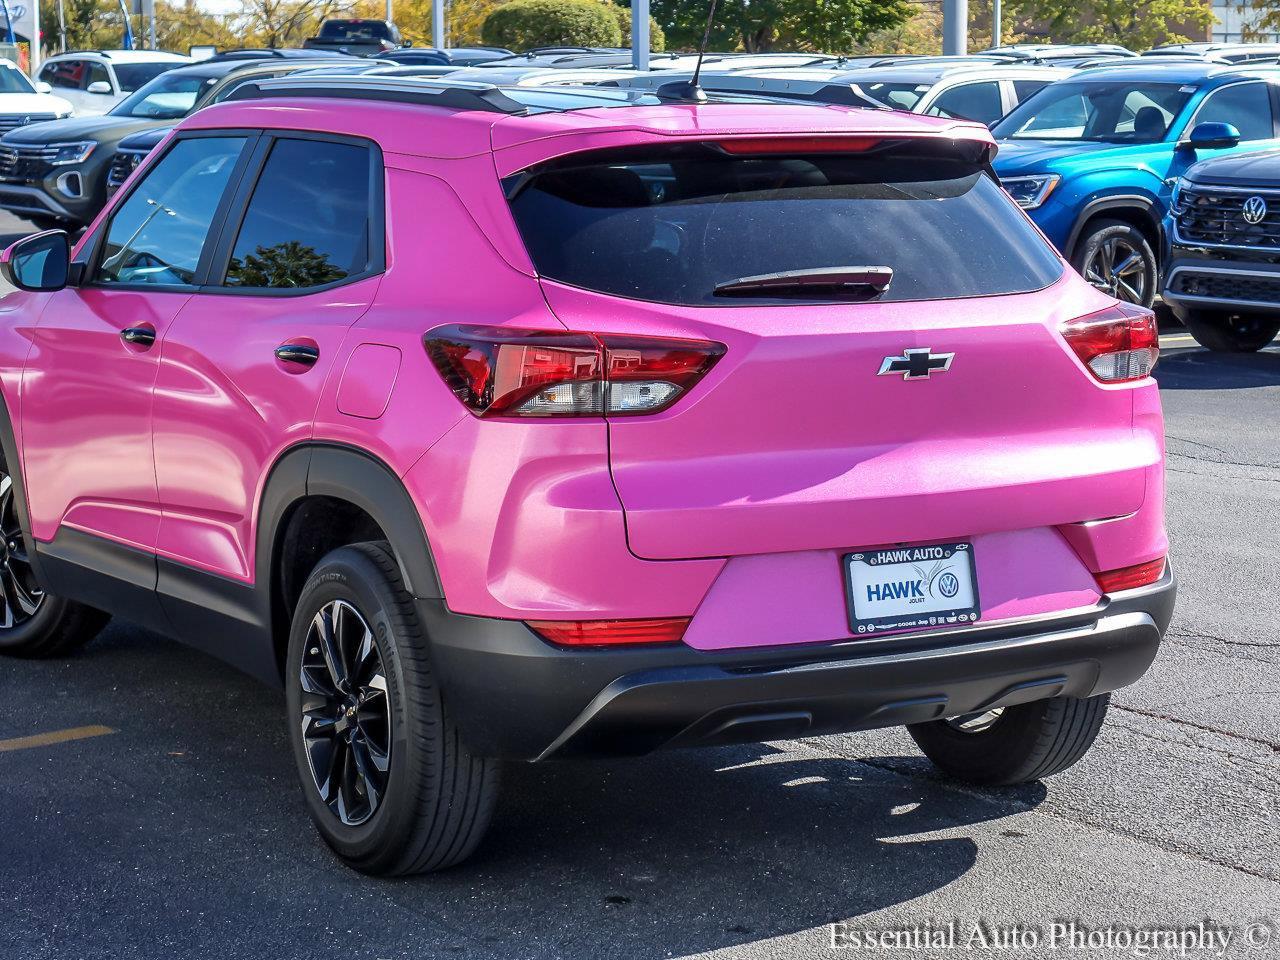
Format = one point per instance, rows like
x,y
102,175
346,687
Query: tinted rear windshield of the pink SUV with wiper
x,y
673,225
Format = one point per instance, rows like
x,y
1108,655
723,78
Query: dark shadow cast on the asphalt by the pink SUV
x,y
194,807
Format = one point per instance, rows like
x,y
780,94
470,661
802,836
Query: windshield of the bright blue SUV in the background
x,y
1113,112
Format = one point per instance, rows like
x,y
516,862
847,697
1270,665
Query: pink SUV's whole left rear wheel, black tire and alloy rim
x,y
409,797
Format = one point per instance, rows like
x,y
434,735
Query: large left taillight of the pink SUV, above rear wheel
x,y
506,373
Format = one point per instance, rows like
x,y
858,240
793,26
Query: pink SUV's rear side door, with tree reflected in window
x,y
248,356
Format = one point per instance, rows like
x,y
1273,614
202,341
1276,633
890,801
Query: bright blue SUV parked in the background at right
x,y
1094,159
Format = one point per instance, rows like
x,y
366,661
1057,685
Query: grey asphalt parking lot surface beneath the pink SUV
x,y
167,824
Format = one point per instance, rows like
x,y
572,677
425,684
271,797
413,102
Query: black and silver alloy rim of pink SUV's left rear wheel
x,y
346,714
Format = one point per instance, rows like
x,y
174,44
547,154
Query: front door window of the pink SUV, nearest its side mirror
x,y
159,232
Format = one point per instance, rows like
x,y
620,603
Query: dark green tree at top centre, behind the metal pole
x,y
757,26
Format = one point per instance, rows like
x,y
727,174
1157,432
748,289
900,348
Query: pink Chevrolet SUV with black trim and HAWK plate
x,y
523,424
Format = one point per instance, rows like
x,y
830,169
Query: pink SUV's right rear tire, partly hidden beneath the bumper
x,y
1022,744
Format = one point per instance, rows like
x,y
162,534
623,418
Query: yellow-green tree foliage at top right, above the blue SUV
x,y
1139,25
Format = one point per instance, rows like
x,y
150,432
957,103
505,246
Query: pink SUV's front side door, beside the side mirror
x,y
88,387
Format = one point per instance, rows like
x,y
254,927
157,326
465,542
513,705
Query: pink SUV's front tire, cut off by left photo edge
x,y
35,624
